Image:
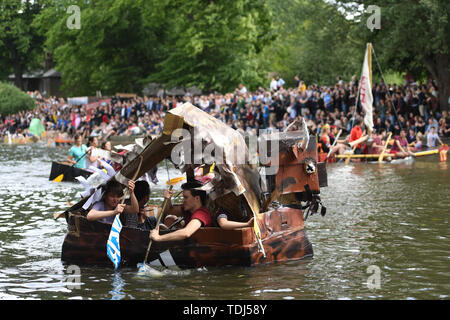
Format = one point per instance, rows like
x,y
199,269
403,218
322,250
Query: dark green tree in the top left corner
x,y
20,44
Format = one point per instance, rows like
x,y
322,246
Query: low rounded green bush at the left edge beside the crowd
x,y
13,100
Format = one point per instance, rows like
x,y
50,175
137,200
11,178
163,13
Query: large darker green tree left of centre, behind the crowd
x,y
115,47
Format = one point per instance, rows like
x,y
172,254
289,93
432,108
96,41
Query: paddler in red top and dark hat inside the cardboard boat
x,y
193,210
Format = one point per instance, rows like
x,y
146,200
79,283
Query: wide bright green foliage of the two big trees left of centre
x,y
123,44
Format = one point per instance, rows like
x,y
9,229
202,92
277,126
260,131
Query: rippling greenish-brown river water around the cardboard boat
x,y
385,236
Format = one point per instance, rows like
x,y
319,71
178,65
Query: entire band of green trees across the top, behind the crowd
x,y
121,45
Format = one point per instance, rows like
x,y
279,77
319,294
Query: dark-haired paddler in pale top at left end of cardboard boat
x,y
106,209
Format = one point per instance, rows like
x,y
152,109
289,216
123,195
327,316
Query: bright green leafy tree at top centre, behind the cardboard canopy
x,y
214,44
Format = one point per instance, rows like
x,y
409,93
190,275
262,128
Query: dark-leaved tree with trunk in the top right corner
x,y
414,37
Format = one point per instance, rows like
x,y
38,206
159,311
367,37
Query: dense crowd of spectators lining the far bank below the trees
x,y
410,106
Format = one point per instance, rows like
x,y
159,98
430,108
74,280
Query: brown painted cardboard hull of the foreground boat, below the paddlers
x,y
283,236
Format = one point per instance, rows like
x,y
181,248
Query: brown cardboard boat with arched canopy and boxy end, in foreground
x,y
276,203
